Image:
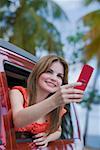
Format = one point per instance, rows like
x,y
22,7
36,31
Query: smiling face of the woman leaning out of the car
x,y
52,79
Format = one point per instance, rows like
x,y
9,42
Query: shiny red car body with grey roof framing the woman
x,y
18,57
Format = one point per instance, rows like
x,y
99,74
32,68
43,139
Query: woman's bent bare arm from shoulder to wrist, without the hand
x,y
24,116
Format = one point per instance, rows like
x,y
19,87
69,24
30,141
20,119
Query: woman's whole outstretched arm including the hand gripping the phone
x,y
24,116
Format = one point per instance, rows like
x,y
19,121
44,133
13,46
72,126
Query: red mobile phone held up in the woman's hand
x,y
84,76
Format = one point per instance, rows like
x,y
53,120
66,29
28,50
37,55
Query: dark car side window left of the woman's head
x,y
16,75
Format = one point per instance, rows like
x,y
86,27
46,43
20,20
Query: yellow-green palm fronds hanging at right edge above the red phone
x,y
92,48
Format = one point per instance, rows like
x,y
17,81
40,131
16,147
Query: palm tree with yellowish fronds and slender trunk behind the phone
x,y
92,48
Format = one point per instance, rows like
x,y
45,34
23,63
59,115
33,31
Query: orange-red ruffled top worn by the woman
x,y
35,127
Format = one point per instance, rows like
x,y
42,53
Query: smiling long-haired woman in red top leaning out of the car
x,y
39,108
